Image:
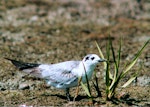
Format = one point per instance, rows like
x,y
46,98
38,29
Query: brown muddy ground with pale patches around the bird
x,y
51,31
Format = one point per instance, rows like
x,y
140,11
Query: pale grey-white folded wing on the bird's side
x,y
59,73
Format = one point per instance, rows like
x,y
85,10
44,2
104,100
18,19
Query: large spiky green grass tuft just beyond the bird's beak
x,y
112,80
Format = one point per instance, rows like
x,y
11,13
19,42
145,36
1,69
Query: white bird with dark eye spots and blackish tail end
x,y
62,75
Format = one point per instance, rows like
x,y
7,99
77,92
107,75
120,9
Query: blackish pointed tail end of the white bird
x,y
22,65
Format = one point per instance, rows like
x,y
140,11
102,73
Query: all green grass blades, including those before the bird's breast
x,y
113,79
